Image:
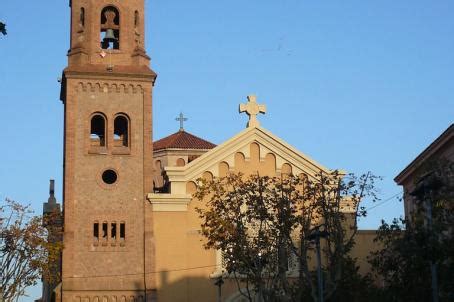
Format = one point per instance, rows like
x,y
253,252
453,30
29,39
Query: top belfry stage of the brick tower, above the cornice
x,y
107,33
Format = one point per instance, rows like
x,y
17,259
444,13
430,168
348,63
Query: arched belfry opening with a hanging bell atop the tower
x,y
110,28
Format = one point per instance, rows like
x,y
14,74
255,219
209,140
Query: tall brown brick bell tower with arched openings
x,y
107,95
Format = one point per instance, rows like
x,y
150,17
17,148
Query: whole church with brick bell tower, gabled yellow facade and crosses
x,y
131,231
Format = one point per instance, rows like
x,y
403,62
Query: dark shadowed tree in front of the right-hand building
x,y
412,245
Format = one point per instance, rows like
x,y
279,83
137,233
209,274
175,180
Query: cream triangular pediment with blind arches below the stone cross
x,y
265,146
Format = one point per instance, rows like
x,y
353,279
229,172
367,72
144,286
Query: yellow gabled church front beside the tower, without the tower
x,y
186,271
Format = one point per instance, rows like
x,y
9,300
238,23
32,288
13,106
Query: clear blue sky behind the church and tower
x,y
356,85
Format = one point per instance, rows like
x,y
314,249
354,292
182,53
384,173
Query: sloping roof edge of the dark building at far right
x,y
424,155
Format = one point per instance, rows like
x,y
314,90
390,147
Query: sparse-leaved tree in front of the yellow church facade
x,y
261,224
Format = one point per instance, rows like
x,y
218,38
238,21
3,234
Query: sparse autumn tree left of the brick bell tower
x,y
27,252
